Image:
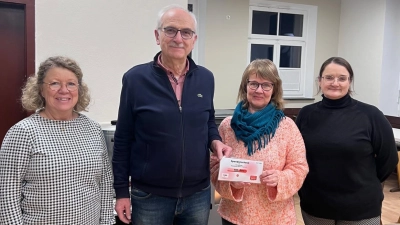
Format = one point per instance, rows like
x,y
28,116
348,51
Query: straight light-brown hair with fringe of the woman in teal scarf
x,y
267,70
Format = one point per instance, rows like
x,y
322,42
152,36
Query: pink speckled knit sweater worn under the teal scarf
x,y
259,204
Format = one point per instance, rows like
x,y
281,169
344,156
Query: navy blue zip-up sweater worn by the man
x,y
164,148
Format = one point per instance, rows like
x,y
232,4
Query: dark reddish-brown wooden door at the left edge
x,y
16,58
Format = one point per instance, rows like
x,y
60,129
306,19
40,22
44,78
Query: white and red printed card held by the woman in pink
x,y
231,169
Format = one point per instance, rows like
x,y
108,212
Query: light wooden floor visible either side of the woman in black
x,y
390,208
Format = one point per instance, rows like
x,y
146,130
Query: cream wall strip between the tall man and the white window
x,y
226,47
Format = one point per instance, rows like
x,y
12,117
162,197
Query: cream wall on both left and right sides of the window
x,y
226,44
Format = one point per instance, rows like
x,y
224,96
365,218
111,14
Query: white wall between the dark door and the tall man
x,y
105,37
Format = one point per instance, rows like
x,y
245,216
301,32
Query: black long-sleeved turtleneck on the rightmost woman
x,y
350,150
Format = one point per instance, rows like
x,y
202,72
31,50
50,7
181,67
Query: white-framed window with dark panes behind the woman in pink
x,y
285,33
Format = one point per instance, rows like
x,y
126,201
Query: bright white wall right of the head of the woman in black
x,y
361,39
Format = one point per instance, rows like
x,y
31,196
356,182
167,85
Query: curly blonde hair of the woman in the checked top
x,y
32,99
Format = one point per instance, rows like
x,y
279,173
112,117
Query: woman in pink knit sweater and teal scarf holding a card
x,y
258,130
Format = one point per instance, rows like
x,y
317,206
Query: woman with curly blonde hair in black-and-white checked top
x,y
54,166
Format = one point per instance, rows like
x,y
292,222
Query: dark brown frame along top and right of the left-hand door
x,y
29,6
